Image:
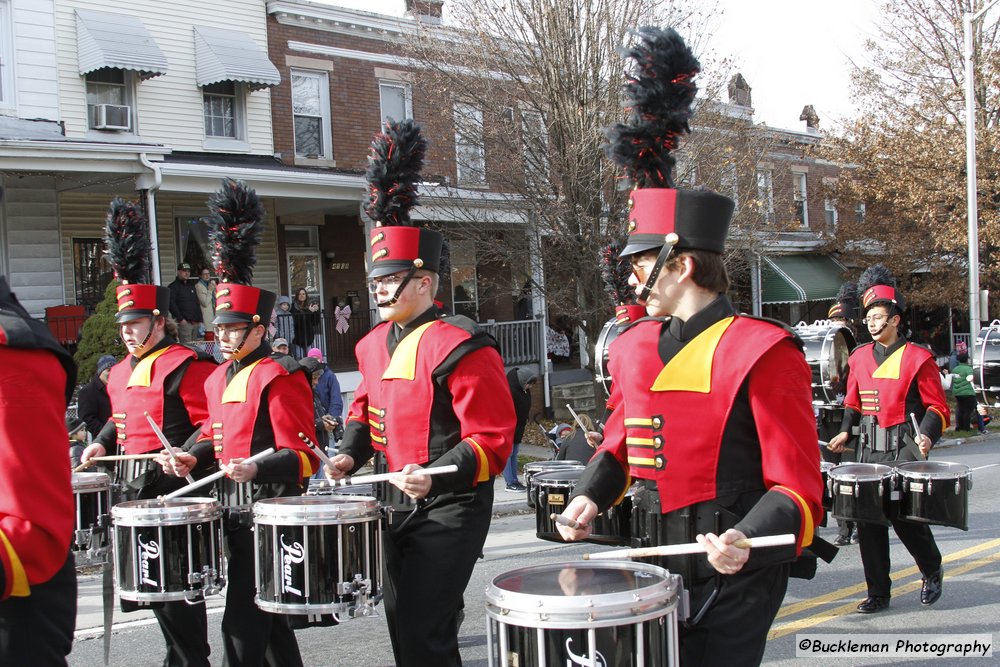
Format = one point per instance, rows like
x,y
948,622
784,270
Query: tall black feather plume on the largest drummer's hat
x,y
660,93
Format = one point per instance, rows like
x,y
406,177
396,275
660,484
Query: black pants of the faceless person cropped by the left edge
x,y
38,629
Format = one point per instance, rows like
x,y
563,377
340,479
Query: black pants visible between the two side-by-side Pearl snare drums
x,y
252,637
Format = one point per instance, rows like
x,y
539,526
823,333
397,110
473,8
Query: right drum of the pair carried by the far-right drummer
x,y
935,492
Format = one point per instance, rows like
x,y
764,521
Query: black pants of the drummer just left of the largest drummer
x,y
428,564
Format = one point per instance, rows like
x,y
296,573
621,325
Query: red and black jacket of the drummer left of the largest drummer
x,y
433,393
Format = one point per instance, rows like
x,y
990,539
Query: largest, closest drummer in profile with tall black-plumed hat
x,y
748,464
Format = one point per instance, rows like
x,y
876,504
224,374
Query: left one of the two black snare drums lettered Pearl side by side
x,y
168,549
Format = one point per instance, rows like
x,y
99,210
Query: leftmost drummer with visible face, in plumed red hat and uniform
x,y
163,379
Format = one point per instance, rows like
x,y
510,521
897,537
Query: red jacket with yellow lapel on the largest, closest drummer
x,y
715,407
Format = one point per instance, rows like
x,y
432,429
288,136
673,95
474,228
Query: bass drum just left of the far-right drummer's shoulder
x,y
827,347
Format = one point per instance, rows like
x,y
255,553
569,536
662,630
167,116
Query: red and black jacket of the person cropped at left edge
x,y
37,512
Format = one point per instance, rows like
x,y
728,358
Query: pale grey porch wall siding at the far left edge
x,y
30,212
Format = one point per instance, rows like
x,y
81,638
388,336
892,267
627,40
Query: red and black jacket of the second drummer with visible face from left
x,y
256,403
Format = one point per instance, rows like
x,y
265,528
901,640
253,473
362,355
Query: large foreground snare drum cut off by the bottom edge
x,y
607,613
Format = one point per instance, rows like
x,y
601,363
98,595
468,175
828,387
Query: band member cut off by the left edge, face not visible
x,y
37,577
